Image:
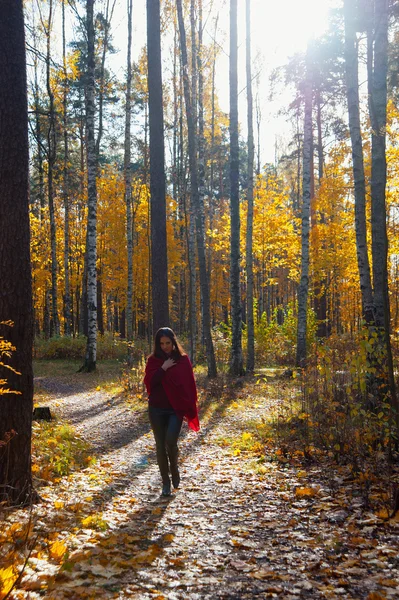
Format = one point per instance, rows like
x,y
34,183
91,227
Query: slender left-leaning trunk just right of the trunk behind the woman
x,y
195,199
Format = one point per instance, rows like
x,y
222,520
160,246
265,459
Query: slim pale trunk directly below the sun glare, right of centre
x,y
306,196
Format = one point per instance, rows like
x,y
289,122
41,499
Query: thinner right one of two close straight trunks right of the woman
x,y
250,204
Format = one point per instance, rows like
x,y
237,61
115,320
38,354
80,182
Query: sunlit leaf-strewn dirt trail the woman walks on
x,y
227,533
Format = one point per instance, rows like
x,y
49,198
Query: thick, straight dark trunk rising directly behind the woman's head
x,y
159,259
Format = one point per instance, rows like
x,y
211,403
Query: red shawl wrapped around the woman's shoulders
x,y
179,385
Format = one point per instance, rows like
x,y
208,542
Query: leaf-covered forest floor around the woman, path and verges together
x,y
248,521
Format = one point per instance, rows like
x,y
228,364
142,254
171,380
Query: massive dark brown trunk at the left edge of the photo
x,y
15,274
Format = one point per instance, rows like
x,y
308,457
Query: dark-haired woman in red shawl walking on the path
x,y
170,383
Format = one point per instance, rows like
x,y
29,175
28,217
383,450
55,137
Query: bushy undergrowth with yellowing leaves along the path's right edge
x,y
321,418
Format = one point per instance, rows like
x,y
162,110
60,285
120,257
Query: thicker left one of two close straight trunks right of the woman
x,y
236,364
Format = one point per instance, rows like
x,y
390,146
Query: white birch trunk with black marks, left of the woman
x,y
91,237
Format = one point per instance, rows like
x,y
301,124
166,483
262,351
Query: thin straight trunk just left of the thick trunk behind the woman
x,y
128,179
